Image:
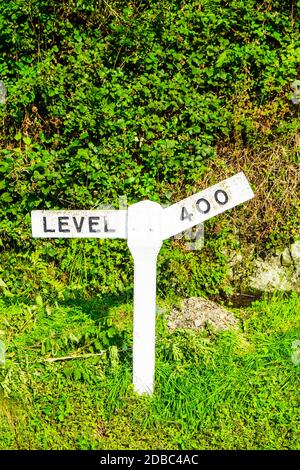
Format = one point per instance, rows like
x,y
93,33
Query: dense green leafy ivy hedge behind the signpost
x,y
117,98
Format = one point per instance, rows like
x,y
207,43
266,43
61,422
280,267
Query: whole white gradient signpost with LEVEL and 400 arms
x,y
145,225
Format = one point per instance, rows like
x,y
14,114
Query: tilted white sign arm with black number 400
x,y
205,204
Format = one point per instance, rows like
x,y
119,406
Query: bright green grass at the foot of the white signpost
x,y
231,390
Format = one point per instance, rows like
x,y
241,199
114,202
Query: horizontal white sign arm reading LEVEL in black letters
x,y
79,224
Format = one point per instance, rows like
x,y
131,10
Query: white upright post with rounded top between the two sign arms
x,y
144,242
